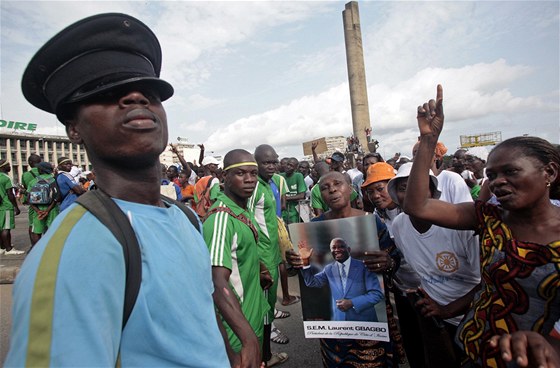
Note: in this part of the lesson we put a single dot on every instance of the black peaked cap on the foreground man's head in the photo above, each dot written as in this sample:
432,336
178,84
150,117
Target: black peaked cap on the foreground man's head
91,56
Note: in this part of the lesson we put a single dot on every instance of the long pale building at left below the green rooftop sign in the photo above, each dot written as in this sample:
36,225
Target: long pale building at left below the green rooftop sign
16,148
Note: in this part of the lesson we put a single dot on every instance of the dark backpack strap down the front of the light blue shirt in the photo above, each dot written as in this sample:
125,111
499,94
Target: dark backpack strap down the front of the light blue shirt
109,214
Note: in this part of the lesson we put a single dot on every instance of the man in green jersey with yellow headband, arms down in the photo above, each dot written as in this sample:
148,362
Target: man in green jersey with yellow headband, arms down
231,236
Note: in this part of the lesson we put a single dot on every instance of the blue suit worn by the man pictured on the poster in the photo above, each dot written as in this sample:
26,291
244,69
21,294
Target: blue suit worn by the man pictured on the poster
362,288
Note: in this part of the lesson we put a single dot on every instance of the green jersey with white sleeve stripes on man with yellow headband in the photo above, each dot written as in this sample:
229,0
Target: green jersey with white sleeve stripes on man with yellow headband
232,245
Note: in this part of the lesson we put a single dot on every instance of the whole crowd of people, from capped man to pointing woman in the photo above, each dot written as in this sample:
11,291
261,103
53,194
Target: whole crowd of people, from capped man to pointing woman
469,255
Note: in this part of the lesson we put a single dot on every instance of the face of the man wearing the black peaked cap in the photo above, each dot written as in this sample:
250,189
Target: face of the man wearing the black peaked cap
125,126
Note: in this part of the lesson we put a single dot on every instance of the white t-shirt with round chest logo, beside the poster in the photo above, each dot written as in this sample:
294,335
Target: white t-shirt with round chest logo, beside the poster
446,260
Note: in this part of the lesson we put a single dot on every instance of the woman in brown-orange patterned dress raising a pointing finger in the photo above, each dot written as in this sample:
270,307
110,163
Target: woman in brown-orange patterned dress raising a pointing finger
513,316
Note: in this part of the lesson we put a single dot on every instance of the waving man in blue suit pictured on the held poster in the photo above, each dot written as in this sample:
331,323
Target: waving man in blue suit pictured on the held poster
354,289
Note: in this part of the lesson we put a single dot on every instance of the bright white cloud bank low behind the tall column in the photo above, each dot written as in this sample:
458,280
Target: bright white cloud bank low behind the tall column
470,92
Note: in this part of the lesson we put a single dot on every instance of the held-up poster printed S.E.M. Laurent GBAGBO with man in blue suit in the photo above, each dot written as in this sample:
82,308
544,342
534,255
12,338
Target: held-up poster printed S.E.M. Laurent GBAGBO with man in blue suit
342,302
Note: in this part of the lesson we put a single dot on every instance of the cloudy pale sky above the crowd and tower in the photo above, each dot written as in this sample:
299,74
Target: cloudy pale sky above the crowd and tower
274,72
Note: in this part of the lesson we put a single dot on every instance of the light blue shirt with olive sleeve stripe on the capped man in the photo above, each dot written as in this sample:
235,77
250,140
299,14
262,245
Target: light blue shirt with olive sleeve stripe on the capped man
173,322
